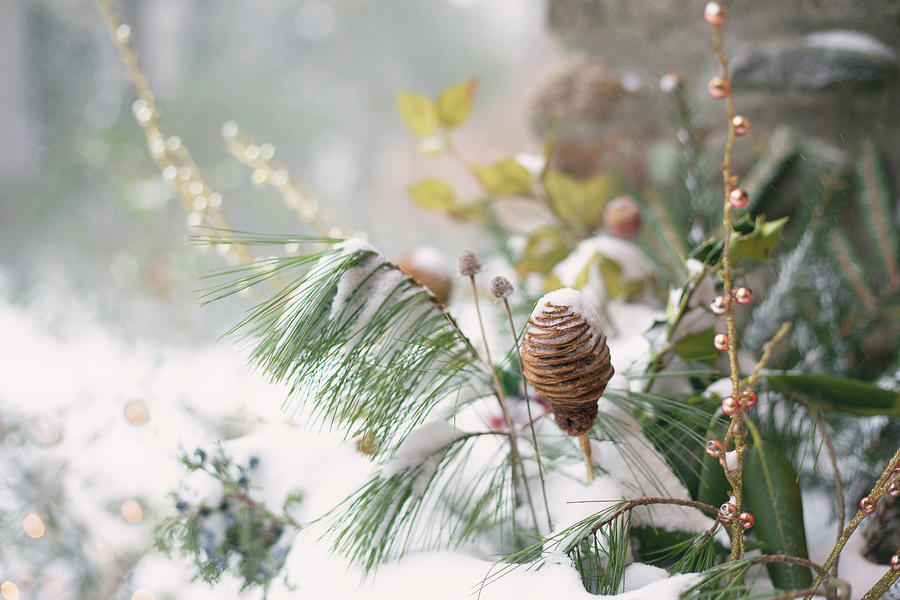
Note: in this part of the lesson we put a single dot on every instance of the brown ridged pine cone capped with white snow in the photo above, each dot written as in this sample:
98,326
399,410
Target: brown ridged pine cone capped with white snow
566,358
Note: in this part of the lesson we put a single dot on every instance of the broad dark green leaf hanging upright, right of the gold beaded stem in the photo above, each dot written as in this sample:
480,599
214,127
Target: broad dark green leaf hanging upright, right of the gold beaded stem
772,495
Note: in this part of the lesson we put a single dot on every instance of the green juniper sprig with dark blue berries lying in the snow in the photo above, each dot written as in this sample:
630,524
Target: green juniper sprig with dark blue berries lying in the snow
252,544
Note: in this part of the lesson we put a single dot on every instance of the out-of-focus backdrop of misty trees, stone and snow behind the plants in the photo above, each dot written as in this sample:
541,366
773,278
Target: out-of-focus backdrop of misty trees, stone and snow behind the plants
99,317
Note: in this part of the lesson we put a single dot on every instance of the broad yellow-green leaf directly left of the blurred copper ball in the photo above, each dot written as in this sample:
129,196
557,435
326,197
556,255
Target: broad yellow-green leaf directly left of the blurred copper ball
579,202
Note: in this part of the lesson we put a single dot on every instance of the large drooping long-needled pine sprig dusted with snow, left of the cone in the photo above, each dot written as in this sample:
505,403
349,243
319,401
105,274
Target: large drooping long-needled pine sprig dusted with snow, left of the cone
358,341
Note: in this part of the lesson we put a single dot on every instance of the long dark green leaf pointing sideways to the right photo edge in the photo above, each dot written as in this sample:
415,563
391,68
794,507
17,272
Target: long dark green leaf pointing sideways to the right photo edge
840,394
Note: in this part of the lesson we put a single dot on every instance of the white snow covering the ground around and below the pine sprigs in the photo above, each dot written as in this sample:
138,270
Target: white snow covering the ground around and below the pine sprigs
79,381
